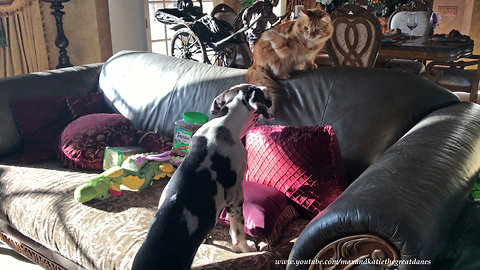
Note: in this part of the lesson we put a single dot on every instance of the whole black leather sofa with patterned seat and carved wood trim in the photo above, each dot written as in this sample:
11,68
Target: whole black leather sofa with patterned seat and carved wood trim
410,149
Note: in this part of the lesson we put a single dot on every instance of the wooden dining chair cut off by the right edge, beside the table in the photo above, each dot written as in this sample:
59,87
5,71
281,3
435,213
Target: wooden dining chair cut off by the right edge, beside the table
456,77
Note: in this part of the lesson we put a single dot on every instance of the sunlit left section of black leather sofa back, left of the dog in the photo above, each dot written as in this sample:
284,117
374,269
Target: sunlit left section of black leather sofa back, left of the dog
160,82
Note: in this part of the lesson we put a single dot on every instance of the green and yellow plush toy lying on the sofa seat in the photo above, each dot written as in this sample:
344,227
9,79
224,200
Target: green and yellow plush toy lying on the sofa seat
136,172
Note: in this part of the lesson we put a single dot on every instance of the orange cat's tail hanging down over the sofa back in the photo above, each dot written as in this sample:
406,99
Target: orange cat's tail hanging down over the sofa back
257,76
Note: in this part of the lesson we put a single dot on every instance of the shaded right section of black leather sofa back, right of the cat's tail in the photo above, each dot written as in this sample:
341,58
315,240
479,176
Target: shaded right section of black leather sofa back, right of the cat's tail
368,109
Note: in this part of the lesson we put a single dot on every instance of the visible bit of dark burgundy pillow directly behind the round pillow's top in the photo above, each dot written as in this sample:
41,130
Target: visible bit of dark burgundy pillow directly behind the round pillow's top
88,104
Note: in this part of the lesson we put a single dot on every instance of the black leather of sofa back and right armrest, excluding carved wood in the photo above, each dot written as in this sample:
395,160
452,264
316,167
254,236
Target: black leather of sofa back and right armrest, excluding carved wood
410,149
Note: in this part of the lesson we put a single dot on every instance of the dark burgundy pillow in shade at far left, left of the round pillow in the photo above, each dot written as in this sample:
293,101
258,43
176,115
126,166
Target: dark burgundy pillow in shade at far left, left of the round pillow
40,121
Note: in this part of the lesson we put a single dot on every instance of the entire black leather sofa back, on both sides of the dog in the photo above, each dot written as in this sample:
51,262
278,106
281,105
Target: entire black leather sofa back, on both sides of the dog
368,109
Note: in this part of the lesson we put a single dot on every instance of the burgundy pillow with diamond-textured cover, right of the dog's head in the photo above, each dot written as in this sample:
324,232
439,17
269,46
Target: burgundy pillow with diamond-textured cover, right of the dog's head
304,163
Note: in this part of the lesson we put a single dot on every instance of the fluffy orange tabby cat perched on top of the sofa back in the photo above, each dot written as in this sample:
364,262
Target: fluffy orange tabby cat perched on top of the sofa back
290,46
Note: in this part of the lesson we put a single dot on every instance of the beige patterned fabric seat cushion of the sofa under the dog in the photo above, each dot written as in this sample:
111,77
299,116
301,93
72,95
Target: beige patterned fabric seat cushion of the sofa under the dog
38,201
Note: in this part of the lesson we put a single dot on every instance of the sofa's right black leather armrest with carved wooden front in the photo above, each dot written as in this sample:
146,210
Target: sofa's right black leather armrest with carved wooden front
404,205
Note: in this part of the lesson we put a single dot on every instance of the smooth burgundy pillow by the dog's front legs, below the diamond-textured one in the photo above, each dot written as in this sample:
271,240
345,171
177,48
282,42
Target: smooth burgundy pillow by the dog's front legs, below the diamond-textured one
266,212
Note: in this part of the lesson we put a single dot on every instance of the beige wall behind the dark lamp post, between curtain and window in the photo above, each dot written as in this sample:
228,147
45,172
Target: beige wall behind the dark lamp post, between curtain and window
87,27
